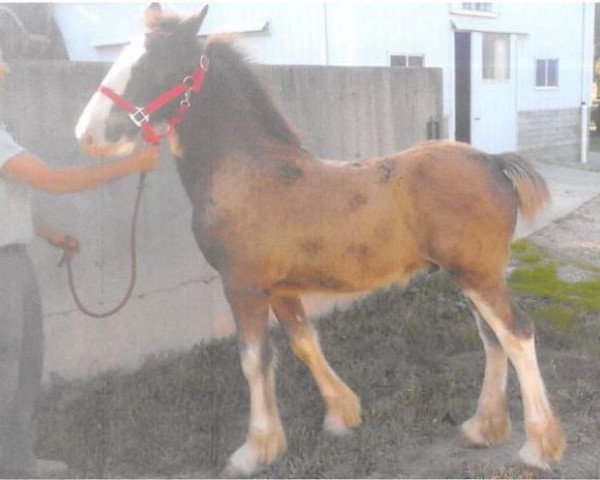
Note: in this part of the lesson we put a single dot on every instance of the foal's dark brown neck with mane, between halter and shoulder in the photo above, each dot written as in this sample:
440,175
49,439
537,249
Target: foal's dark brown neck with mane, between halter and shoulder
234,113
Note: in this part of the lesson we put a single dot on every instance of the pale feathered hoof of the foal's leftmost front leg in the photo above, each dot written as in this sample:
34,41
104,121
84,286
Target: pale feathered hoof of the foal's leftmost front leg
259,451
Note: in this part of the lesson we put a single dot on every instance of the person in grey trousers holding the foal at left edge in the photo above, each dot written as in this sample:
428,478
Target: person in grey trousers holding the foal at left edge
21,327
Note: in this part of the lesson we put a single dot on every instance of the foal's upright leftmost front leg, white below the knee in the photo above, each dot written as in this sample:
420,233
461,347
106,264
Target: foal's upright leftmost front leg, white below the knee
266,438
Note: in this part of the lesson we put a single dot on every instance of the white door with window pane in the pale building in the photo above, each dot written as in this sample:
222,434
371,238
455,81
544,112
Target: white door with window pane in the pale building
493,92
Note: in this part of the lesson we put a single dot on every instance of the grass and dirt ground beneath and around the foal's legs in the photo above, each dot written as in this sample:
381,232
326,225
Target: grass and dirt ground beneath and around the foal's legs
414,358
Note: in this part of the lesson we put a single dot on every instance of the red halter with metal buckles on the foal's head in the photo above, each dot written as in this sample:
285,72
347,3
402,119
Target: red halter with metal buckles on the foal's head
141,115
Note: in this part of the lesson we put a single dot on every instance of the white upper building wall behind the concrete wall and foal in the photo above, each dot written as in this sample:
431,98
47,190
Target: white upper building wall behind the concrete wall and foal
367,33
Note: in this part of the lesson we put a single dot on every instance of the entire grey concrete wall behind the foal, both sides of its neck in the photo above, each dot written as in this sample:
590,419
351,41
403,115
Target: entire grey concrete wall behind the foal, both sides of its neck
343,113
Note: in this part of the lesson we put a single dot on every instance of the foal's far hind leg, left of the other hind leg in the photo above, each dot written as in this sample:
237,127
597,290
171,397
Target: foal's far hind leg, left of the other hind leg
491,422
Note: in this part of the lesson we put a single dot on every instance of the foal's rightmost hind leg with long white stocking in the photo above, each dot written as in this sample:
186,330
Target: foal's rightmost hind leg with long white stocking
545,441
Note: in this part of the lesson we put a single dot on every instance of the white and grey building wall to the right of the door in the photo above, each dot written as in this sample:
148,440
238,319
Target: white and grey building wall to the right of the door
550,126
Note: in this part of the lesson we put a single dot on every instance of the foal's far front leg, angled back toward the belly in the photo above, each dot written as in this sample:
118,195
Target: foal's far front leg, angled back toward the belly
343,406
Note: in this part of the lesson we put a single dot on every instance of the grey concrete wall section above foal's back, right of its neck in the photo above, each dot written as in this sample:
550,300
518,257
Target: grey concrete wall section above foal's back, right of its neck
351,113
